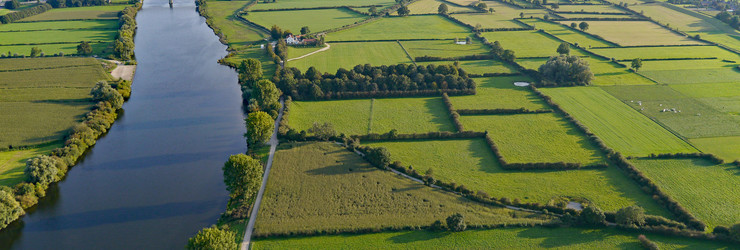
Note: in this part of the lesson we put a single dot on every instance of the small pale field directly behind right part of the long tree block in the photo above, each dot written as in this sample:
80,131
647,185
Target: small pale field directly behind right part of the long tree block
444,48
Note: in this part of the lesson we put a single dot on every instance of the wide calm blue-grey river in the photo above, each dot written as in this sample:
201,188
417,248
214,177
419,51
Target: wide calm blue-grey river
155,179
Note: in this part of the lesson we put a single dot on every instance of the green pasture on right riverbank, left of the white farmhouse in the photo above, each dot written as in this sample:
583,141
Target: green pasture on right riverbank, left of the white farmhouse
238,34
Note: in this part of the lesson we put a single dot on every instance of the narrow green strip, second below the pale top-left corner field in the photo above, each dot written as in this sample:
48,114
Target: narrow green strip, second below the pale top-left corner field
56,36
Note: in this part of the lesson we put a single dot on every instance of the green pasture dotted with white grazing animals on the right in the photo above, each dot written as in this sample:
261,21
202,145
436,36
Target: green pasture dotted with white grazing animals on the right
696,119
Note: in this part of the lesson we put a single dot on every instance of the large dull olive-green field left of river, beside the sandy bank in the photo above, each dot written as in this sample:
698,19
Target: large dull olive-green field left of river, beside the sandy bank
40,105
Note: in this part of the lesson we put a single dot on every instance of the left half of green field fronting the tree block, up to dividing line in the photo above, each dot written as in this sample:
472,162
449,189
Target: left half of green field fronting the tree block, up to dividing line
348,116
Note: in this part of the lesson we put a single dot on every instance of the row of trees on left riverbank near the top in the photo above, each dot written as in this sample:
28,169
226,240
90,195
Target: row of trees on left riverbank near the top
124,44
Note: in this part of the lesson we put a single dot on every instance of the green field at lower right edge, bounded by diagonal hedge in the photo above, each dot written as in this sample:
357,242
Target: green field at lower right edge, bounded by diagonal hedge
706,190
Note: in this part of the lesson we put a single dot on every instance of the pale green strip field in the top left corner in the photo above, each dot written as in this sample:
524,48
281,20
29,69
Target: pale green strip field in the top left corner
94,12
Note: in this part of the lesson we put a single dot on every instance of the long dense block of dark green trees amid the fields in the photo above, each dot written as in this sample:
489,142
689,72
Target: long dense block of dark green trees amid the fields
401,78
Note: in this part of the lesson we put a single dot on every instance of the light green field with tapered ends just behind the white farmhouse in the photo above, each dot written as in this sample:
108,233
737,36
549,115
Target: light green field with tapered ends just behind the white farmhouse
321,20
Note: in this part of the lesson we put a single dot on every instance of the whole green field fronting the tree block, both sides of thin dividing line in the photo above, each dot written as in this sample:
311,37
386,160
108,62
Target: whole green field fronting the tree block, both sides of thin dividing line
354,117
